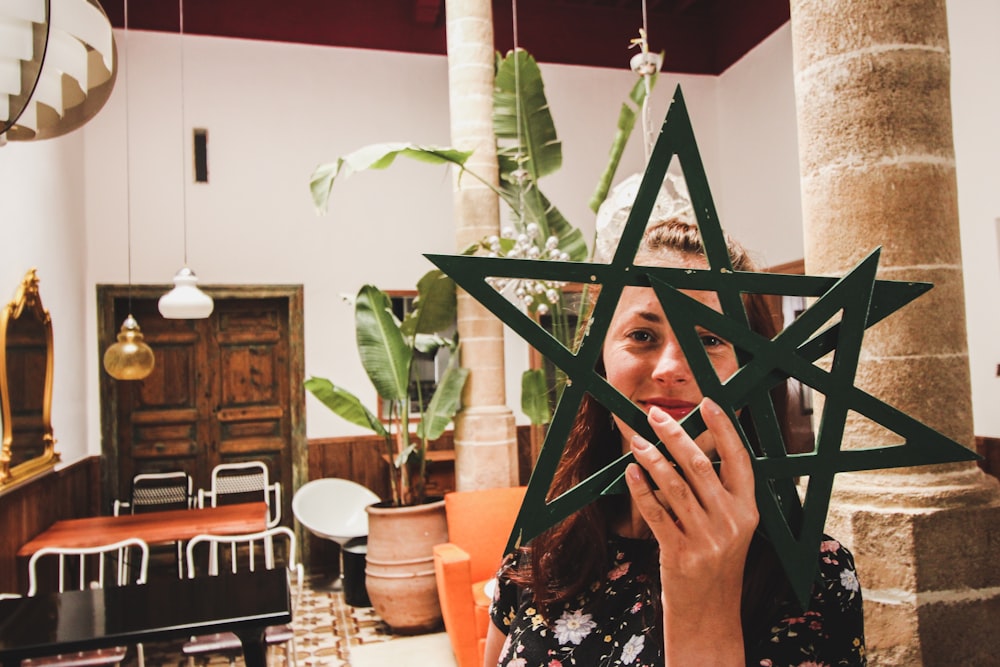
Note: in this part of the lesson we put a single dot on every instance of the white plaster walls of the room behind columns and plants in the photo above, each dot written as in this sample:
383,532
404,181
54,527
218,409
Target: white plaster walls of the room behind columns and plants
274,111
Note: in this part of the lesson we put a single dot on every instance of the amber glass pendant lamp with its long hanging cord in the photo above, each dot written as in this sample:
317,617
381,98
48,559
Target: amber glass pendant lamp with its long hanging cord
130,358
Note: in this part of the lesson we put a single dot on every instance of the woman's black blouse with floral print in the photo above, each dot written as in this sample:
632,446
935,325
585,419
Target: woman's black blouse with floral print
624,629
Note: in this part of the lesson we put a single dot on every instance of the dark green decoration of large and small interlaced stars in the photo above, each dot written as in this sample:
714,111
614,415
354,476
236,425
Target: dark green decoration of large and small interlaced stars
794,526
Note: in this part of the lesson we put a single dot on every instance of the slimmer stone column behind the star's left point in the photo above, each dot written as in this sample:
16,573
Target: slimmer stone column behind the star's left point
485,433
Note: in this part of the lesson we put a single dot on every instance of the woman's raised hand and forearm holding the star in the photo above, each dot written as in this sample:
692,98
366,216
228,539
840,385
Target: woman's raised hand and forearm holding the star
703,523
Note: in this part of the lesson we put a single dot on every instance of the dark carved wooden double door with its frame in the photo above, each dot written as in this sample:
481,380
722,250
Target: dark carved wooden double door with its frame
225,388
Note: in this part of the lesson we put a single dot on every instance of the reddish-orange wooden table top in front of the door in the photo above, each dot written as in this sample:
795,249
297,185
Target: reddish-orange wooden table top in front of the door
153,527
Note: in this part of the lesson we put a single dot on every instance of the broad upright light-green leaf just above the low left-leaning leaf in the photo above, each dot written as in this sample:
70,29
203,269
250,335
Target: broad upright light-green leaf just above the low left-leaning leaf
383,350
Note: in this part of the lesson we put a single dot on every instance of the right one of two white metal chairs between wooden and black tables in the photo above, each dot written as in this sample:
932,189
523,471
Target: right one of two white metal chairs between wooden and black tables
245,553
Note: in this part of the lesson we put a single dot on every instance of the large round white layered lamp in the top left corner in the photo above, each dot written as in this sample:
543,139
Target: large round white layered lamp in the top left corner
57,66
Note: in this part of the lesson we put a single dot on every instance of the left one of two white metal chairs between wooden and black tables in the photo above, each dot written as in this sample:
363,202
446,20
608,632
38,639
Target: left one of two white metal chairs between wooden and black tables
76,569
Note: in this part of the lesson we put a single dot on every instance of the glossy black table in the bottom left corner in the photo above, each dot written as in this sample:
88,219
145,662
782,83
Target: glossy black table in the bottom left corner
52,623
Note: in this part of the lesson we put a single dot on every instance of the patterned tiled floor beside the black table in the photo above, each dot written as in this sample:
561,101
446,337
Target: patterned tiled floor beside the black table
325,630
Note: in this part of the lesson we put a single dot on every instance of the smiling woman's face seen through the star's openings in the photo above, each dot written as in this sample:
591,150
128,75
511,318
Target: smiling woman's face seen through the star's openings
644,361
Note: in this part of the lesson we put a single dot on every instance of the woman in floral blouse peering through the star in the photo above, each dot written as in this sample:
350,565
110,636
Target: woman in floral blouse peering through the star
676,575
